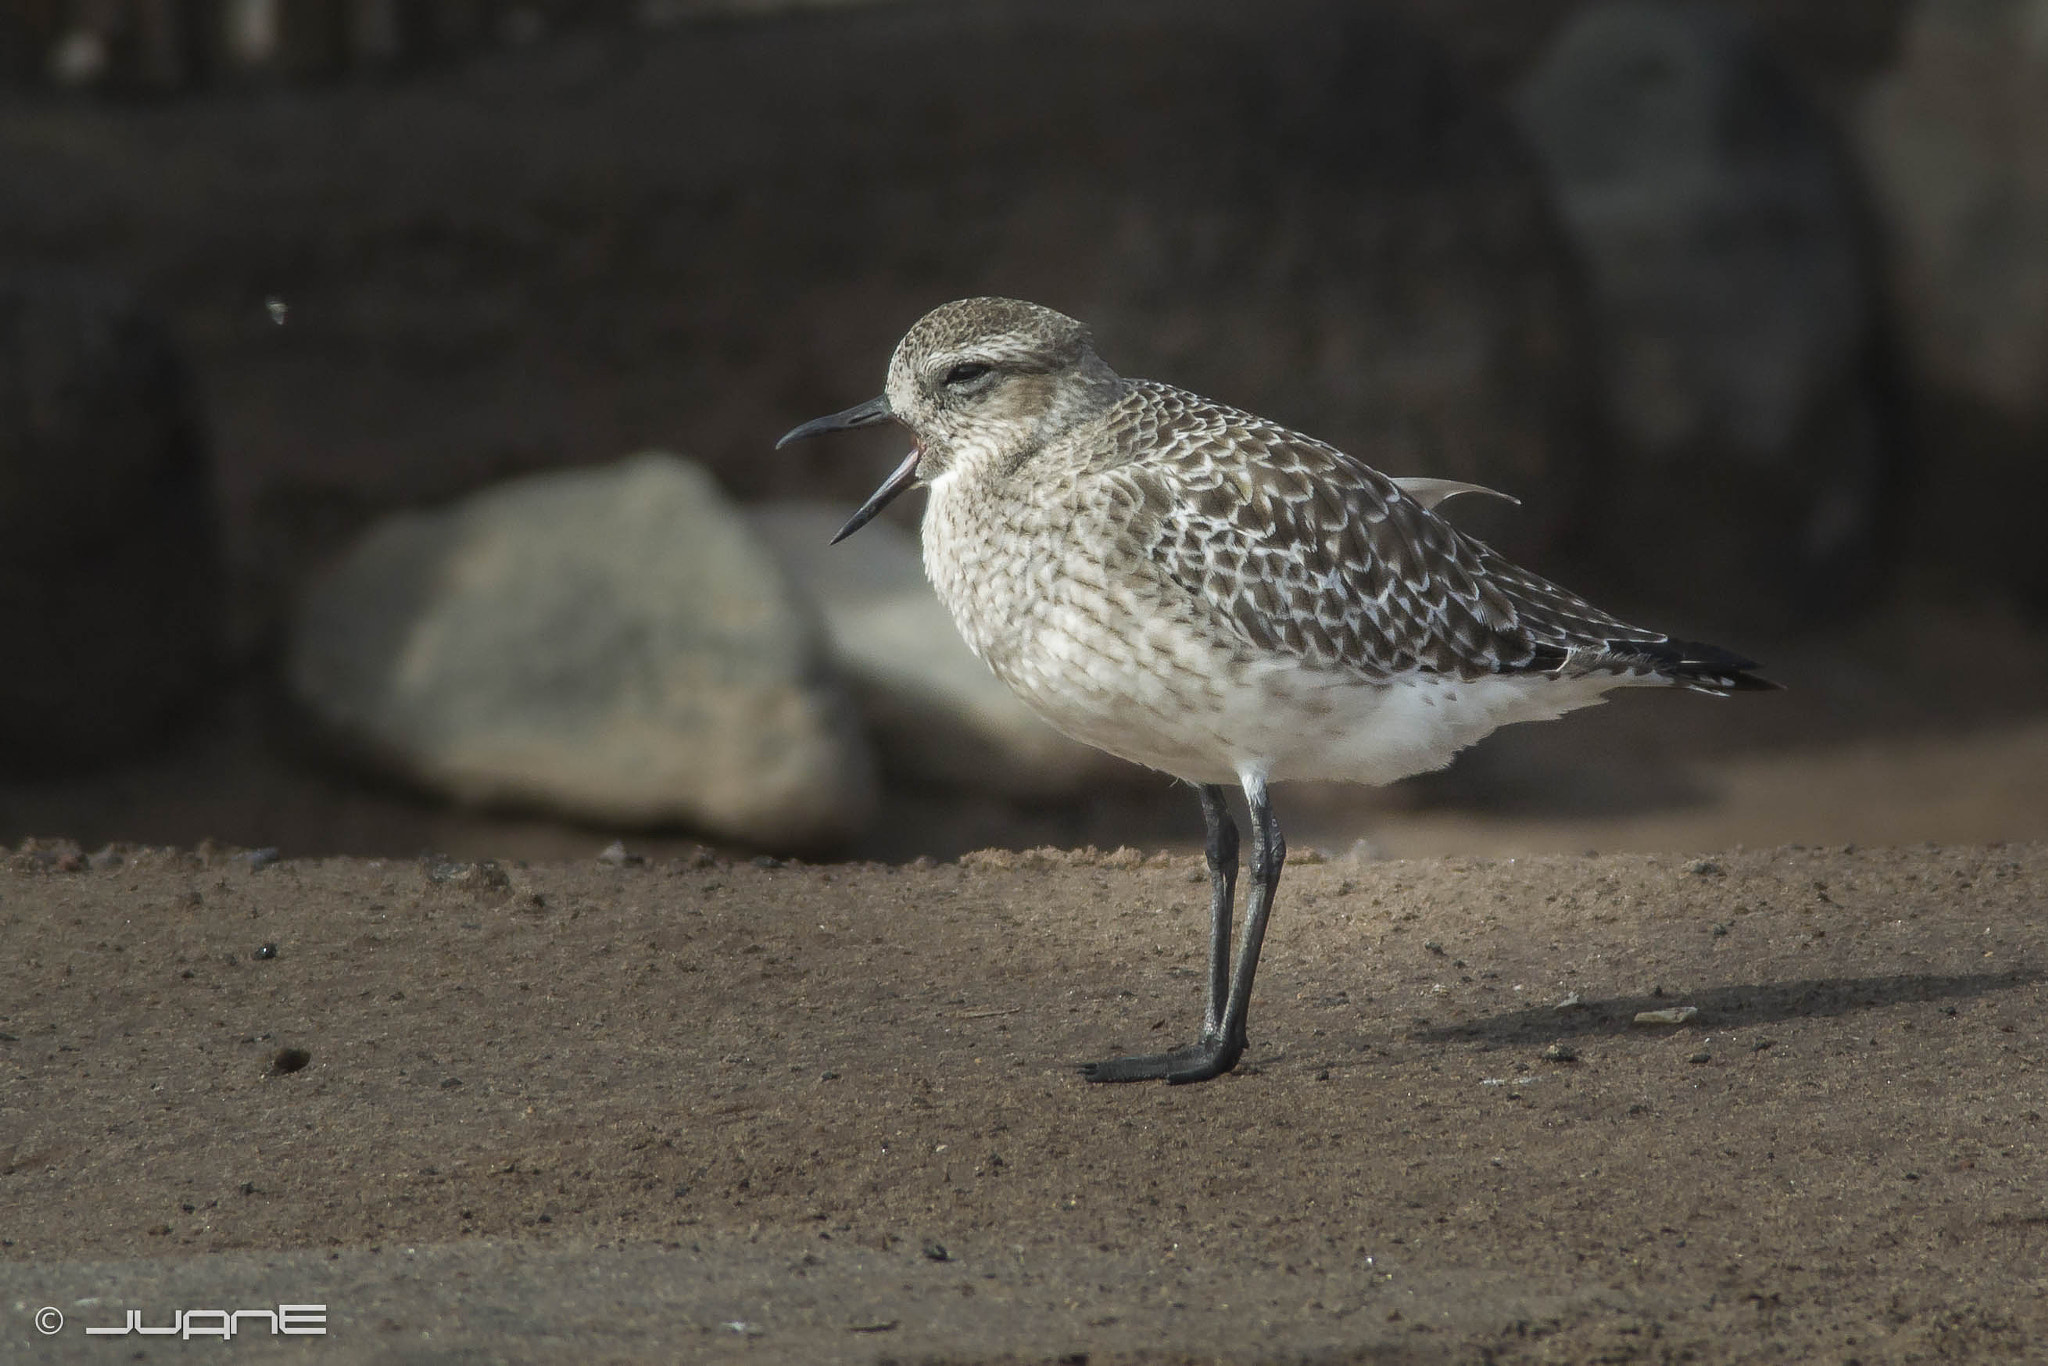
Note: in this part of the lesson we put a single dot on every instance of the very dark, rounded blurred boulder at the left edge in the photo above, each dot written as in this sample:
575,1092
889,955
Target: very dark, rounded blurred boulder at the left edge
110,550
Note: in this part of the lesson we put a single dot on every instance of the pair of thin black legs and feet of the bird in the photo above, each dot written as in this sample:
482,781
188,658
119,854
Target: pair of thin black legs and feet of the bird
1230,994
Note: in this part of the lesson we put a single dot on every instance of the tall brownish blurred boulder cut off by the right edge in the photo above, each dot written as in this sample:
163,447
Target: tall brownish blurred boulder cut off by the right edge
1957,144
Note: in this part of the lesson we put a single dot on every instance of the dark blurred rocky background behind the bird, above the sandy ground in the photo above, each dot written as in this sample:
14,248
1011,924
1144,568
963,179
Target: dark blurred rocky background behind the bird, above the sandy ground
1746,302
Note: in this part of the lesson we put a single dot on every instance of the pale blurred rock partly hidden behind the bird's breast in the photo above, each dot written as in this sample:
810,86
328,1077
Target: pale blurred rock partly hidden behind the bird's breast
937,714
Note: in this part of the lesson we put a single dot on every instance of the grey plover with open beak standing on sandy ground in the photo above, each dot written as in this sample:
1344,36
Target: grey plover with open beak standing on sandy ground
1211,595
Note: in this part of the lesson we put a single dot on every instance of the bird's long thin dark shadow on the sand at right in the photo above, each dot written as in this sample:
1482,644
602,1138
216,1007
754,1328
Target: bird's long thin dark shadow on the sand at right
1732,1007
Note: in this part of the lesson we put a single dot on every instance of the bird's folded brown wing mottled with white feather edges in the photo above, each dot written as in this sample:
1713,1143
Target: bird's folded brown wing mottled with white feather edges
1312,554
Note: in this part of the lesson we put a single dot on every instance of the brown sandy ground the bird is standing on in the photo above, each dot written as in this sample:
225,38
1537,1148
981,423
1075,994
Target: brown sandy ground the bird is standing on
703,1109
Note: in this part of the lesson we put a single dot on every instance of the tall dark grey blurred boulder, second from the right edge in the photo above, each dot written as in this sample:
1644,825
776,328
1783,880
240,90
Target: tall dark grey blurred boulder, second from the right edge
1738,308
